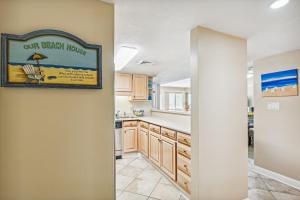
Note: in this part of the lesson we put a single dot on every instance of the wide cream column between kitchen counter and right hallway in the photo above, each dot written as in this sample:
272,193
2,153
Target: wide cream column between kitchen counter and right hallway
219,116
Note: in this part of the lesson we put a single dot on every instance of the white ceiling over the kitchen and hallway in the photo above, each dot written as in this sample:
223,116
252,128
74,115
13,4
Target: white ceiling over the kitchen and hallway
160,29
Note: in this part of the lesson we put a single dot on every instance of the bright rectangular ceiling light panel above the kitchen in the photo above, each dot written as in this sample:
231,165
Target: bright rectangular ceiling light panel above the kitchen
123,57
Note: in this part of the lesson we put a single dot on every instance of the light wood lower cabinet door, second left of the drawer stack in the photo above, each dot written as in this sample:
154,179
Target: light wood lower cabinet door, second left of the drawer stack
154,148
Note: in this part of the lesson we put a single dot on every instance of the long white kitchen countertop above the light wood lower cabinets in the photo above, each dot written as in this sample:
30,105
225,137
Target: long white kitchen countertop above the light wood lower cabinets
184,128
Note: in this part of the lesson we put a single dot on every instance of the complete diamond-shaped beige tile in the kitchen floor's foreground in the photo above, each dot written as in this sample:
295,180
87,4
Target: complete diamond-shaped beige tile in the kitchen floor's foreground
143,187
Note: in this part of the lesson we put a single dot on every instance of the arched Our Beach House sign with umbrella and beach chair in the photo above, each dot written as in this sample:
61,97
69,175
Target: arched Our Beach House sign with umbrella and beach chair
50,58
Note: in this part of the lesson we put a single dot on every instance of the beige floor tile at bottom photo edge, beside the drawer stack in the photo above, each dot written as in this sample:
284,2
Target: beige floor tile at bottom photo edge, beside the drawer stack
166,192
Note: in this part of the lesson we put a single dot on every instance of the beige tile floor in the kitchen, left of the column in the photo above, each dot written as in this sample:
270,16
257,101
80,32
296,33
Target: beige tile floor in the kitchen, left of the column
137,179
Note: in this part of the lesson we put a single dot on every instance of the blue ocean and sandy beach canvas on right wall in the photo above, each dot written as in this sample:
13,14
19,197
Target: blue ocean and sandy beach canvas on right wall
279,84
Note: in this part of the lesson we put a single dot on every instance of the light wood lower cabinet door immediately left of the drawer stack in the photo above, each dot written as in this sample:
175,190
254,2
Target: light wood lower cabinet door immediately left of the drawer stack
168,157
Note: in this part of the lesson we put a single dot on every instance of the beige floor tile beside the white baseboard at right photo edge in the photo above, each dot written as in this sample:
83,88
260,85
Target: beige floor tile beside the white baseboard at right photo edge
276,186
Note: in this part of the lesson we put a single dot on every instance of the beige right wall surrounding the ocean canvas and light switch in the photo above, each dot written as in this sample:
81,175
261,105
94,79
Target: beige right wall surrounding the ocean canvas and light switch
277,133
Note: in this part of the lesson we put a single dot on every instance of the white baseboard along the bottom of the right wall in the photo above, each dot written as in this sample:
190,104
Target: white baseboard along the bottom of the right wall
278,177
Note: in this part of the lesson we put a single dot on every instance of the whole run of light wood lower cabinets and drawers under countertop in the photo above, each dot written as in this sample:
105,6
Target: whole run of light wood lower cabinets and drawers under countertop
168,149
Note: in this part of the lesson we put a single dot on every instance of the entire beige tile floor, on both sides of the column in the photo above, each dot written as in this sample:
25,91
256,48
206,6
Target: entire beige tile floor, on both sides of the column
137,179
